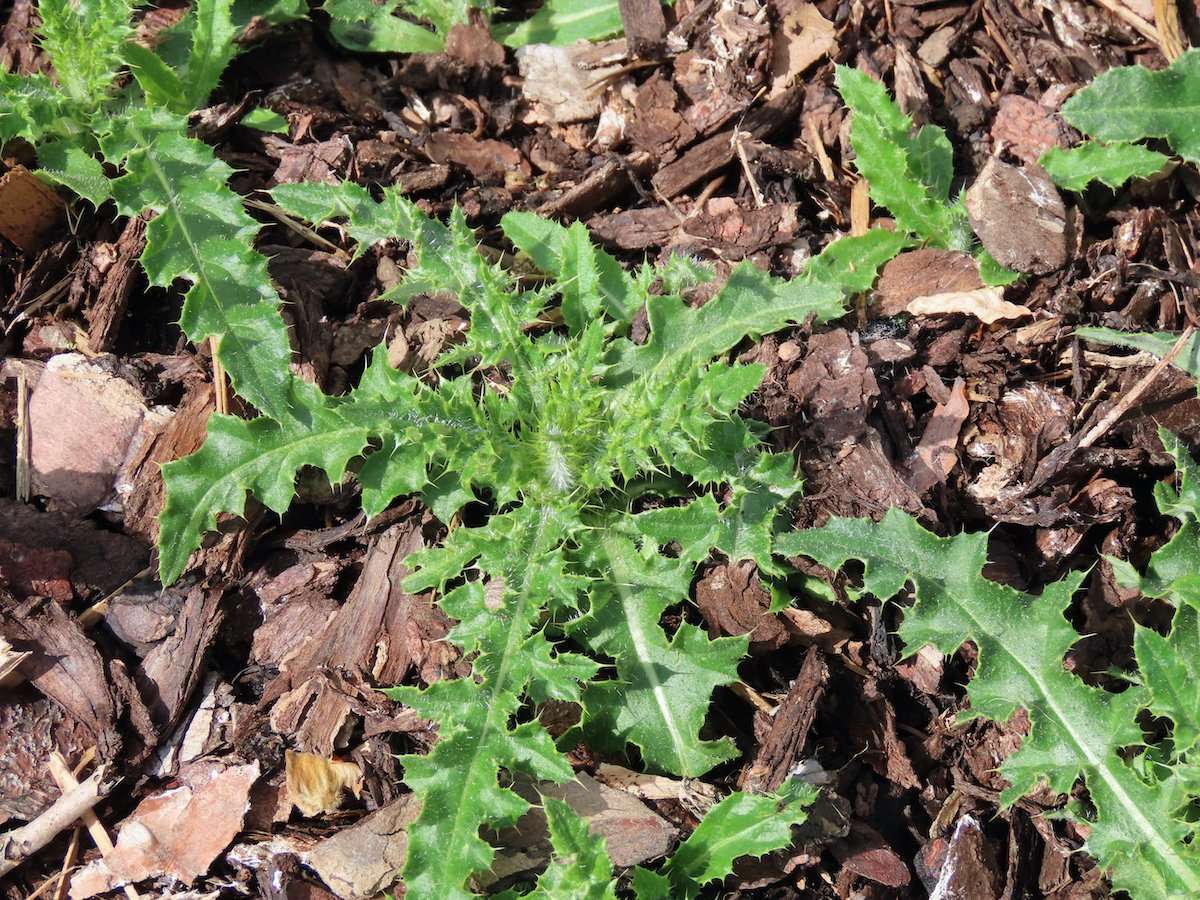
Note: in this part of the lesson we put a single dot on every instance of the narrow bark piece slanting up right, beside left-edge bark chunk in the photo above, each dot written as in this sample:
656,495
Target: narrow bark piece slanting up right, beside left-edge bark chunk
172,670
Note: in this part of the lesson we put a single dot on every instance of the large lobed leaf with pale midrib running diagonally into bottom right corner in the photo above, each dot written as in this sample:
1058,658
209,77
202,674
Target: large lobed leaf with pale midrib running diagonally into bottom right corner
1077,730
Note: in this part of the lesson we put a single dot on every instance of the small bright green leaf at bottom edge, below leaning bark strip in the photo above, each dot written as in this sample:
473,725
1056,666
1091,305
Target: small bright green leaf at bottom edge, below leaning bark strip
741,825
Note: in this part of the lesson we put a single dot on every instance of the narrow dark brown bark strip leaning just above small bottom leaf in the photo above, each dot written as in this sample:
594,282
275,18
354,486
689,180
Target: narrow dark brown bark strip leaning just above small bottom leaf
789,730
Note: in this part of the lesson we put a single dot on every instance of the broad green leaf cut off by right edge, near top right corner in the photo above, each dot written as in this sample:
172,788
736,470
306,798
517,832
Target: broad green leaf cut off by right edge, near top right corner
1133,103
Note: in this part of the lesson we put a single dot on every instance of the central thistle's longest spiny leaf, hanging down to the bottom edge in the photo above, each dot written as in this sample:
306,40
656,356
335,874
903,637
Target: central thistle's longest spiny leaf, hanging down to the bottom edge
458,782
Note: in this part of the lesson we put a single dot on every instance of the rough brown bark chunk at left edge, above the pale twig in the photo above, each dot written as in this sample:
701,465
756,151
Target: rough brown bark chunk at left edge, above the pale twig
65,667
